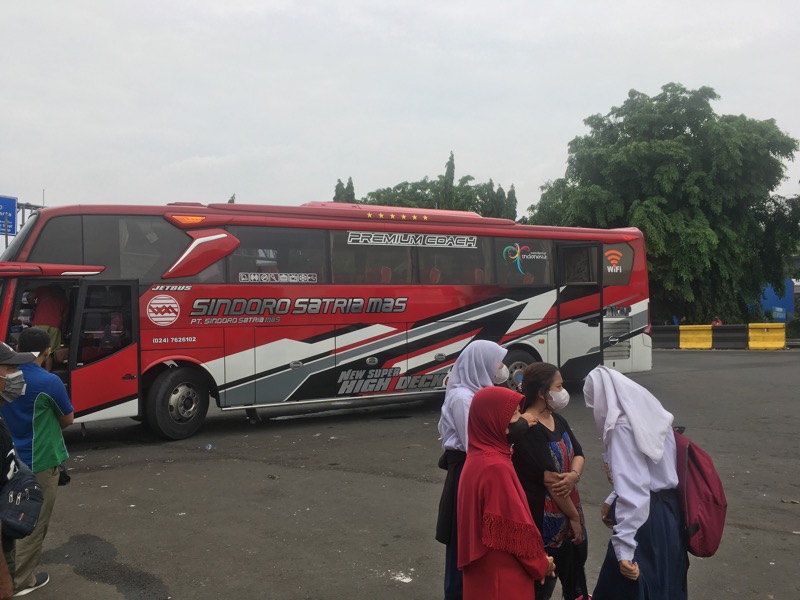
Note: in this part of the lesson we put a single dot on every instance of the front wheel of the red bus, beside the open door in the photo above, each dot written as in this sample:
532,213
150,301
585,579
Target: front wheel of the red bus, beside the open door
177,404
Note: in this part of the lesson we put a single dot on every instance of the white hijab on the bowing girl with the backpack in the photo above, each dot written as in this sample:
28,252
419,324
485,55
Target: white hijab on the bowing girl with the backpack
612,395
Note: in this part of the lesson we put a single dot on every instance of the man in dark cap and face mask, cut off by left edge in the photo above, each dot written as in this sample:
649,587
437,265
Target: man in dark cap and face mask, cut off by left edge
12,384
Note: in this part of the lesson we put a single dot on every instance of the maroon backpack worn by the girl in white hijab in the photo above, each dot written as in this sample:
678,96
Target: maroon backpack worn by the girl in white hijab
702,498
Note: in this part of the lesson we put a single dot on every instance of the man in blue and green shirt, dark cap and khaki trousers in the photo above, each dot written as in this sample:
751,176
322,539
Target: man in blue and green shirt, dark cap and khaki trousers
35,421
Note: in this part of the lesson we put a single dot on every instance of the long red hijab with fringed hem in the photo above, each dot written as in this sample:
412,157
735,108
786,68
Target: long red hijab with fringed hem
493,512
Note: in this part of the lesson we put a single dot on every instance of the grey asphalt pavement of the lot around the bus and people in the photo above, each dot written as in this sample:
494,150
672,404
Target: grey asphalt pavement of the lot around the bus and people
343,505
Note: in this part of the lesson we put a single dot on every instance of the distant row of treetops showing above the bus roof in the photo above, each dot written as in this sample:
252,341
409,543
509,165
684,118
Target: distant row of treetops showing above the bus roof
443,193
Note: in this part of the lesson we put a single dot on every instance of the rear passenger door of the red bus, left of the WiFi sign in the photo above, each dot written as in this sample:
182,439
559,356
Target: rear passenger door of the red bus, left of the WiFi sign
579,309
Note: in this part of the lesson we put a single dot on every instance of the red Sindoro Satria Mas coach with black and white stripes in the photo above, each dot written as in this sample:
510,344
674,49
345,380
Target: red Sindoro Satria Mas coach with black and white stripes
291,309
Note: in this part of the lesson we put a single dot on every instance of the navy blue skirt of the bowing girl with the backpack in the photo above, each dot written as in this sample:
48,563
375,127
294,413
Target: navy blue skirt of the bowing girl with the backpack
660,554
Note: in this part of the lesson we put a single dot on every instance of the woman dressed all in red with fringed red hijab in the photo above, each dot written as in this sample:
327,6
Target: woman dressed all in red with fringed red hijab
500,550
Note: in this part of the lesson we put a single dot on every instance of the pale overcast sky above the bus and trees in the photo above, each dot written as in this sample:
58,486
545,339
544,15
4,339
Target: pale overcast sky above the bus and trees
194,100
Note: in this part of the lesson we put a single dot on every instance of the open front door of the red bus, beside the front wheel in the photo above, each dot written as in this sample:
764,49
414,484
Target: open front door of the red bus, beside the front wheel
104,351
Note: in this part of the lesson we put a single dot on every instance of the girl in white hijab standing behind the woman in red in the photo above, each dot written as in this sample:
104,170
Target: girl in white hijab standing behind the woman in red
479,365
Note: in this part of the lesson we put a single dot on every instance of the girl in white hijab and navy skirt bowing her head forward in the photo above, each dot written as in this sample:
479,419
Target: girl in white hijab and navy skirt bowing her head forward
646,558
